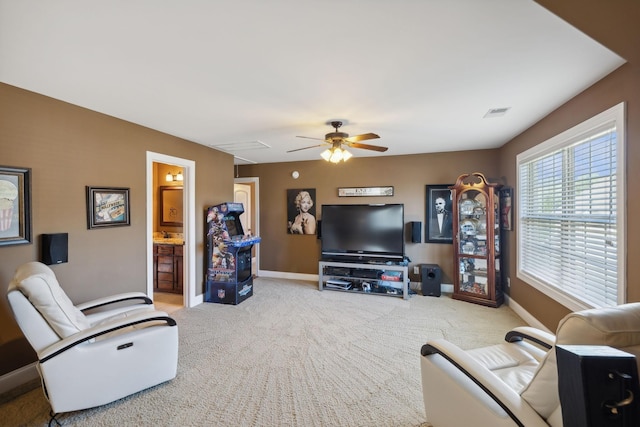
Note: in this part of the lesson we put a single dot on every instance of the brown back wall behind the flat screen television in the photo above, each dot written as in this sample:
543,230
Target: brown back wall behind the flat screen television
409,176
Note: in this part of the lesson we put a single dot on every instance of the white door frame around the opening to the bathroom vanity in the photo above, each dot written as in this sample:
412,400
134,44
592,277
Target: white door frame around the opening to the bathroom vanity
189,296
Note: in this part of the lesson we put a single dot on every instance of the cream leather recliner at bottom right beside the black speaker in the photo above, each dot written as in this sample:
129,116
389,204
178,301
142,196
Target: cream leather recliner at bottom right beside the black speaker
516,383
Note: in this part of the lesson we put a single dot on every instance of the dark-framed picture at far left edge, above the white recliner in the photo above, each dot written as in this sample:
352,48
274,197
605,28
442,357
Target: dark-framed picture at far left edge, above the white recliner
15,205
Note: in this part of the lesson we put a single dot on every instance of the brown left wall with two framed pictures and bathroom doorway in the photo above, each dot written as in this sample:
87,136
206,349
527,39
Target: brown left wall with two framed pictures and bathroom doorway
68,148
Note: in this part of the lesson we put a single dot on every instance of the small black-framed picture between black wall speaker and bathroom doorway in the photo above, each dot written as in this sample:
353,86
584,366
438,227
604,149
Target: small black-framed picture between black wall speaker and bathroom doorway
107,207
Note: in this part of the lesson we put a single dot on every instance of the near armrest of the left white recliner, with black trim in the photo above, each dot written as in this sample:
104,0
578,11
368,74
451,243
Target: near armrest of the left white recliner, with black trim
103,329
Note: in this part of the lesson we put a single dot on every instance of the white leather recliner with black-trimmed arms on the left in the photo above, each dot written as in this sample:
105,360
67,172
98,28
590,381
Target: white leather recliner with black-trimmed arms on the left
93,353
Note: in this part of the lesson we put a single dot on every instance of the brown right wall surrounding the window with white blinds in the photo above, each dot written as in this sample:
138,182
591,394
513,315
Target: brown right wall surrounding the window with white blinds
613,23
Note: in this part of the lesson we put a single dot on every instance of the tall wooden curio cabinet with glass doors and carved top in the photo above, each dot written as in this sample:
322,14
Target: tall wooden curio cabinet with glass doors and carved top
476,240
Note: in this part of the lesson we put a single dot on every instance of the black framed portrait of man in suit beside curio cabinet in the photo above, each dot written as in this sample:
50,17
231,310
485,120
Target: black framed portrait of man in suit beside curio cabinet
439,214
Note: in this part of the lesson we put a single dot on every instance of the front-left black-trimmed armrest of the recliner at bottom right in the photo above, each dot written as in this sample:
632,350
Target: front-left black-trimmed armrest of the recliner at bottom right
508,399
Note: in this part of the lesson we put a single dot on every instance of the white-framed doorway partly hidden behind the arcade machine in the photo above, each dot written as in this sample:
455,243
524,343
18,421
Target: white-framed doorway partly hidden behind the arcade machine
246,191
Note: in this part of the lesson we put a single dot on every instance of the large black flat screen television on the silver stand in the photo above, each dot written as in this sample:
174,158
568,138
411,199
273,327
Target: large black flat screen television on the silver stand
362,232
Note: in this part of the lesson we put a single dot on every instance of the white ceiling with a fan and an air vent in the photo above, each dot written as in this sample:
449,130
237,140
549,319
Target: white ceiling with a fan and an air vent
242,73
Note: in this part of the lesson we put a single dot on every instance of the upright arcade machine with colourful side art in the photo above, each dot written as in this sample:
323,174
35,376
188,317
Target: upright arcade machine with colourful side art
229,279
